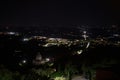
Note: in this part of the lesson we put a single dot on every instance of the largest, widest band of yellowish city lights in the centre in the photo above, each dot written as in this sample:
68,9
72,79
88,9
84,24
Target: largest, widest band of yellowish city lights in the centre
53,41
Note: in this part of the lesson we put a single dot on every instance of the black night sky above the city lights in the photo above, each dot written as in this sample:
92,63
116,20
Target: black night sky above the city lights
59,12
